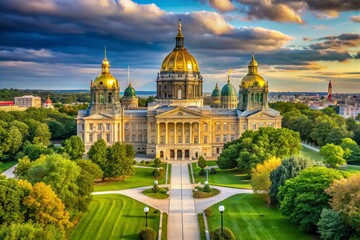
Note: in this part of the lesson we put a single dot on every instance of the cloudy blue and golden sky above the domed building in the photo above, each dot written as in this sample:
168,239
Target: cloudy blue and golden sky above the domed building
299,44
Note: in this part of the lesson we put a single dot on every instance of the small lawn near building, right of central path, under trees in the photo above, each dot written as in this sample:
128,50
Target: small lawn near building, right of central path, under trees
224,178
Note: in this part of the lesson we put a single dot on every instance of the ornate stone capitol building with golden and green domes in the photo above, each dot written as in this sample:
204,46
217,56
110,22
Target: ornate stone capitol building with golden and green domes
177,125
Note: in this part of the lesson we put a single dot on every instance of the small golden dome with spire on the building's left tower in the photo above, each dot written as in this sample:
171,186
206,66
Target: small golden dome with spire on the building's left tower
105,79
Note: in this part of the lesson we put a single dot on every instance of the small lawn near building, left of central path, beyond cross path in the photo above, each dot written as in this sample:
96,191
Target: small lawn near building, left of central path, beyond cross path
143,177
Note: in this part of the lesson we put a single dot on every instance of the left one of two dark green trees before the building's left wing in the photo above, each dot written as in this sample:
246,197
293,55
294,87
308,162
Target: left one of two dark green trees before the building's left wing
98,155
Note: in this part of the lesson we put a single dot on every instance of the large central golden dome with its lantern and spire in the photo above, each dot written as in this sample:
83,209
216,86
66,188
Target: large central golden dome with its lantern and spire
179,60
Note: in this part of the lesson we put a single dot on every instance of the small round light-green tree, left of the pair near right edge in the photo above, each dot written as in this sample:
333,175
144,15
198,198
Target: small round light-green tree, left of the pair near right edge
333,155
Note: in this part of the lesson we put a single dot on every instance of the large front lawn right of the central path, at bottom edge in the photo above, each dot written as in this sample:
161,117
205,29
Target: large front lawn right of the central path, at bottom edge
242,216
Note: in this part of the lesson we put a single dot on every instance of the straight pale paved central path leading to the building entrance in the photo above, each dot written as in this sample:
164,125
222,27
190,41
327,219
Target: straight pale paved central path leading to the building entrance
182,221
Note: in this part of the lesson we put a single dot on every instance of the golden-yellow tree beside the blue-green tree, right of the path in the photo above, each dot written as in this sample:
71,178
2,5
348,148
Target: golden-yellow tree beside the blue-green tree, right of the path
260,176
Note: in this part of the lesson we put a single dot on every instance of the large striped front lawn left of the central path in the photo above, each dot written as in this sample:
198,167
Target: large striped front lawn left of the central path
114,217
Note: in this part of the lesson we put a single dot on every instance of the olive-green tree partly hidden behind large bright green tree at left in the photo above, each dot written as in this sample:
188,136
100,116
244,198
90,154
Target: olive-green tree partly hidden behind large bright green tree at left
89,172
